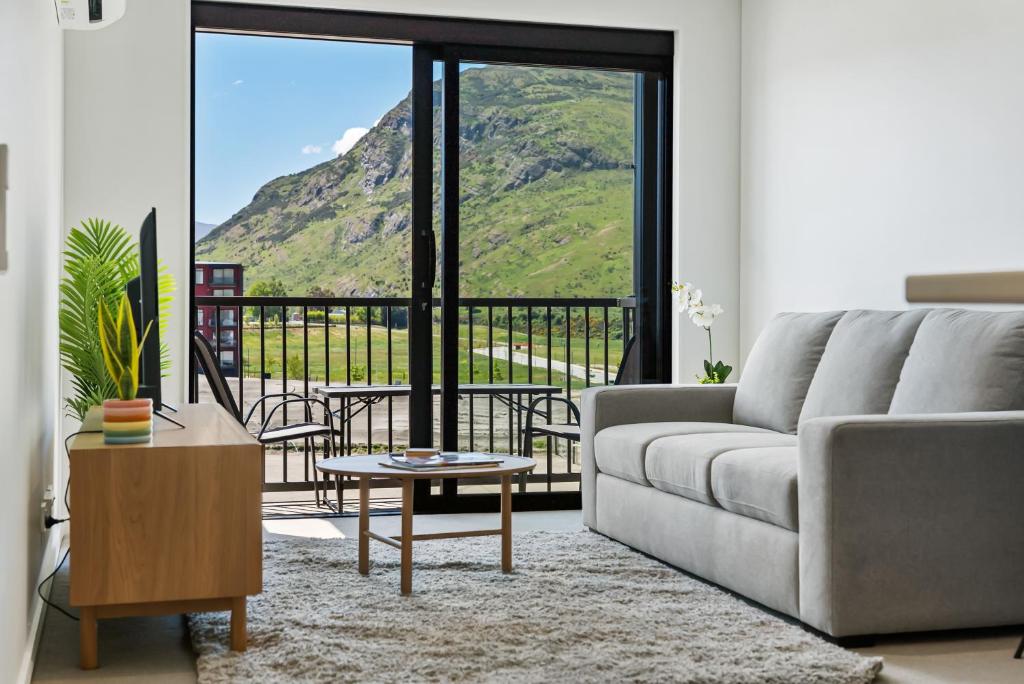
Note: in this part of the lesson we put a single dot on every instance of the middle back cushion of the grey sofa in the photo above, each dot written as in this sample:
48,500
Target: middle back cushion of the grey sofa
862,364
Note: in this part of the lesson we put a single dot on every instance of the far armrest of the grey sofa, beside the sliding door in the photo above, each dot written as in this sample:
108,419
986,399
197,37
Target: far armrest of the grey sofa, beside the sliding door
623,405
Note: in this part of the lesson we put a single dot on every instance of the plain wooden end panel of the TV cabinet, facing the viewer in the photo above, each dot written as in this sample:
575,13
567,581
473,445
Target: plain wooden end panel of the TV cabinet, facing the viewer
165,525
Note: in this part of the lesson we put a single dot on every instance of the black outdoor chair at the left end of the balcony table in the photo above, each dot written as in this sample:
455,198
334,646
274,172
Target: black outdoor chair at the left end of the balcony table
309,431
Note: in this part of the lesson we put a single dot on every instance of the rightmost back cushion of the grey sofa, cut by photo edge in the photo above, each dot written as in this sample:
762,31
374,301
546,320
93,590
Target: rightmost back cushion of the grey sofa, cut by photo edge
964,361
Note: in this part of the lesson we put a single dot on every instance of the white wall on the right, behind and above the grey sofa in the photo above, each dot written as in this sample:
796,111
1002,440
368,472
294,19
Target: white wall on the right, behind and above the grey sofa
879,140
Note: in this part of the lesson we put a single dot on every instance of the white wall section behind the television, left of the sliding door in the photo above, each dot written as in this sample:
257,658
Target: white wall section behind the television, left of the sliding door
126,130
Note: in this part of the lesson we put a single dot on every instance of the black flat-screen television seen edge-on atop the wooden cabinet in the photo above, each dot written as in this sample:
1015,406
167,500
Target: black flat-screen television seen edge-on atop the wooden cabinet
146,305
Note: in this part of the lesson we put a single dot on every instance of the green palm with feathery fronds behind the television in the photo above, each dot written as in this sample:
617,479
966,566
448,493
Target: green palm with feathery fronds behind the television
100,260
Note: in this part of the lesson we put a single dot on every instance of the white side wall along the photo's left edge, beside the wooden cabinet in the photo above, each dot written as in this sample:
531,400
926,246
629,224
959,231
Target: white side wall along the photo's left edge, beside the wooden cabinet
31,127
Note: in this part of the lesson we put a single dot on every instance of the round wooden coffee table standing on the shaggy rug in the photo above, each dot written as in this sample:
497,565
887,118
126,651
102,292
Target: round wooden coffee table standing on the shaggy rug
367,468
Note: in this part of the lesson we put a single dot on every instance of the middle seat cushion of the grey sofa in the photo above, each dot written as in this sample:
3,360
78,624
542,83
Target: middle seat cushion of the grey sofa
681,464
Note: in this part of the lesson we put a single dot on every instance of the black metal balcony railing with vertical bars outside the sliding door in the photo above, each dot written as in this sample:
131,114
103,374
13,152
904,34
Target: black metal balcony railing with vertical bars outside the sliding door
297,344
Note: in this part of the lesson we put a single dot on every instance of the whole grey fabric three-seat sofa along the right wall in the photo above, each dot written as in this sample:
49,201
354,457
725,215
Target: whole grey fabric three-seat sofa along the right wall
866,477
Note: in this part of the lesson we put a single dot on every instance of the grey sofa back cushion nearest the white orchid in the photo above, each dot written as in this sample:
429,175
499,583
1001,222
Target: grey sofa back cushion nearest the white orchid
780,370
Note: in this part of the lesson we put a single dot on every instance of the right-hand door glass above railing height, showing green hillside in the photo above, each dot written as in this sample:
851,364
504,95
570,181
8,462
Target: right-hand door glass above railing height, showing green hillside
546,182
